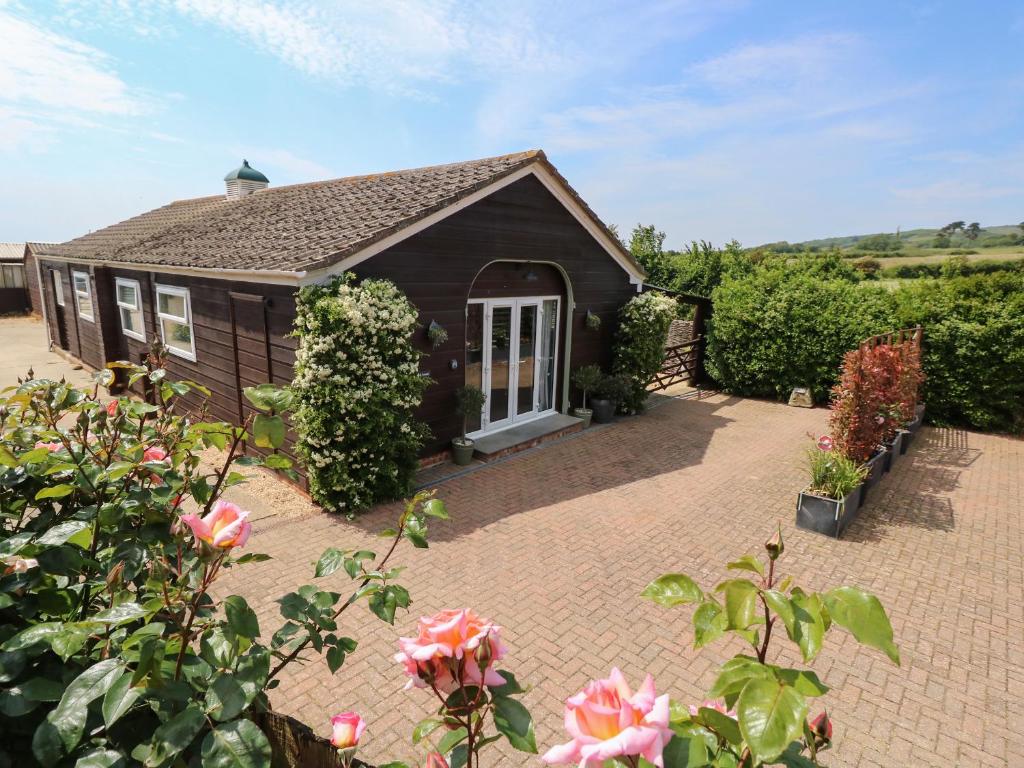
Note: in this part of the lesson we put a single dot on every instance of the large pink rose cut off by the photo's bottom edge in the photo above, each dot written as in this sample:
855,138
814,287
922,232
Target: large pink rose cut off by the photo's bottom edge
607,720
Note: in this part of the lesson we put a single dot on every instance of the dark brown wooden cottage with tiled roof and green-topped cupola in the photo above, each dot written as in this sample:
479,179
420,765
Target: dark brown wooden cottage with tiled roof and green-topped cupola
501,252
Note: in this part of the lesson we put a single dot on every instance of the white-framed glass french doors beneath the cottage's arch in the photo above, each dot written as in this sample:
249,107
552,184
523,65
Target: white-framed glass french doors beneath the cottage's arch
511,352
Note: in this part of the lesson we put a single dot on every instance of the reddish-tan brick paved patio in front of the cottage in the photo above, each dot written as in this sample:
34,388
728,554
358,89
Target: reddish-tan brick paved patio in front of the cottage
556,545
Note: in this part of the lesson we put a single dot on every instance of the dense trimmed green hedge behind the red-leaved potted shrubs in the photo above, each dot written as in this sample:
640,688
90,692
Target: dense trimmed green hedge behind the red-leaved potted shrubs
784,327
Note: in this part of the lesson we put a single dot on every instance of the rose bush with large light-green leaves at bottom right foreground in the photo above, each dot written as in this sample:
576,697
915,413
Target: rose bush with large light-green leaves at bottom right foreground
757,713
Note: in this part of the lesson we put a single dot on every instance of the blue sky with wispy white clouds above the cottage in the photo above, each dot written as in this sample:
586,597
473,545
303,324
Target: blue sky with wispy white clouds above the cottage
760,121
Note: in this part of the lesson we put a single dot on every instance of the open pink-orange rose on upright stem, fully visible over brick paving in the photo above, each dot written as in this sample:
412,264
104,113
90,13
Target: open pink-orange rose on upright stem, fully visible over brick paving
443,642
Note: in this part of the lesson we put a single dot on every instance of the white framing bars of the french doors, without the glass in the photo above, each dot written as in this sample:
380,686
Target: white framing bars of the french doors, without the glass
516,305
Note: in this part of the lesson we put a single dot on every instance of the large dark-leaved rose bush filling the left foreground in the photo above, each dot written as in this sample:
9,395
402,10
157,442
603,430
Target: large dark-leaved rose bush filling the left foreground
114,650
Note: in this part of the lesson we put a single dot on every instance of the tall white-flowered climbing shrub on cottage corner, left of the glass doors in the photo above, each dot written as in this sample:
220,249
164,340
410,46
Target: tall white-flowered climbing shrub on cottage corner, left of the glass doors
358,387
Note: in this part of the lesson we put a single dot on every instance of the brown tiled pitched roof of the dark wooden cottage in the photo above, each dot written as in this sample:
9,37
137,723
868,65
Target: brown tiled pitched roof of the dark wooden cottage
311,227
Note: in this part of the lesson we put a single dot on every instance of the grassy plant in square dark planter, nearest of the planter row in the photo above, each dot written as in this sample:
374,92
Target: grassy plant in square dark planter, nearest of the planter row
832,498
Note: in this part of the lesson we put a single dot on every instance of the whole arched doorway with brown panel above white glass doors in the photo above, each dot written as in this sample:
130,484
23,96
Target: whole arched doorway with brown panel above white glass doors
516,343
